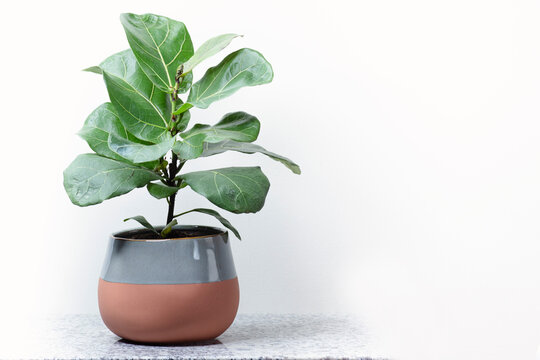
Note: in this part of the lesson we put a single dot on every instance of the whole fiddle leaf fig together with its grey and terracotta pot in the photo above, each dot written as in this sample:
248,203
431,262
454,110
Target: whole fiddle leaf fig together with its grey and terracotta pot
170,283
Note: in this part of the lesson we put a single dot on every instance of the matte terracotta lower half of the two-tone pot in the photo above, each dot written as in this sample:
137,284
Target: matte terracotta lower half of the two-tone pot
168,313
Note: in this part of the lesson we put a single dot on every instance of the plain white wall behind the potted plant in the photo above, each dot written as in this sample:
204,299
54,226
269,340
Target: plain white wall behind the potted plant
417,126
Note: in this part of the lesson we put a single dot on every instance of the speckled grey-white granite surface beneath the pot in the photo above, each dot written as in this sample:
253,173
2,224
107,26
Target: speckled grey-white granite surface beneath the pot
250,337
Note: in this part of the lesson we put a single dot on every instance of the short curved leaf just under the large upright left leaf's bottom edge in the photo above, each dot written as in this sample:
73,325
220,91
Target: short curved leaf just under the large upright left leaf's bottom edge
139,153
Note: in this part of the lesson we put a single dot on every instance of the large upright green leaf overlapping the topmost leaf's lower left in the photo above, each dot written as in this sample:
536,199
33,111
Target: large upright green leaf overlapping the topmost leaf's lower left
141,106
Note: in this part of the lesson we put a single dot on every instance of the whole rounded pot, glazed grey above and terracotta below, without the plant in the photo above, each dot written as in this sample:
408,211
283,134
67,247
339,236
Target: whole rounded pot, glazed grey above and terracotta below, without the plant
174,290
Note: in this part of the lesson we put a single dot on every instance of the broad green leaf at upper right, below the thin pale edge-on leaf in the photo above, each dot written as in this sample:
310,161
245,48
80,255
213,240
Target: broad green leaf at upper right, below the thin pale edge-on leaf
245,67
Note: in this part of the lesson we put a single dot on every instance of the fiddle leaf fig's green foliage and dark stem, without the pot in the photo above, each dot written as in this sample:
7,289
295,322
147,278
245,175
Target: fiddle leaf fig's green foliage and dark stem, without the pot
141,137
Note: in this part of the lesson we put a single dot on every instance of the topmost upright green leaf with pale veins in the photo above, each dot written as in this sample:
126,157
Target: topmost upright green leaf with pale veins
160,44
